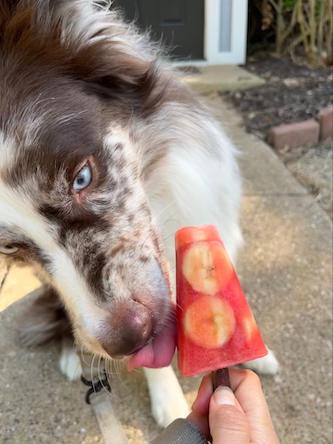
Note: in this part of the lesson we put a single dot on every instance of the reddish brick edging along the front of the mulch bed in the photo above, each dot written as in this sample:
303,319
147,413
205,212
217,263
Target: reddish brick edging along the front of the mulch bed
309,131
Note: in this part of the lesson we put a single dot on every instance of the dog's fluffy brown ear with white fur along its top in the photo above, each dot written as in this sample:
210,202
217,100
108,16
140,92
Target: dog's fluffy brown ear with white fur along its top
118,63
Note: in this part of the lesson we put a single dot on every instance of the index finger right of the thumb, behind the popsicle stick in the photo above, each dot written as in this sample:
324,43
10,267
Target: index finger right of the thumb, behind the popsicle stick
248,391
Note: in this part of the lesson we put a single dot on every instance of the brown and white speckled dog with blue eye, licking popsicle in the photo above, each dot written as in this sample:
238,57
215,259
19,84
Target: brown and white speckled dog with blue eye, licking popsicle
103,155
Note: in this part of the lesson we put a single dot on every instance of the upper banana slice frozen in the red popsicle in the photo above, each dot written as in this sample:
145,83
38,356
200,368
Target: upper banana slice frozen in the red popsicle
206,267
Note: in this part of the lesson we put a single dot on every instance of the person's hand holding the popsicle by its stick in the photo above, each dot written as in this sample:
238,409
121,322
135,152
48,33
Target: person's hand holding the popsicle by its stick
237,416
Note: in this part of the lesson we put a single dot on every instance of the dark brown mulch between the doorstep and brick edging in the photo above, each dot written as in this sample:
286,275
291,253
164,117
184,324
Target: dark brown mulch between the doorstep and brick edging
292,93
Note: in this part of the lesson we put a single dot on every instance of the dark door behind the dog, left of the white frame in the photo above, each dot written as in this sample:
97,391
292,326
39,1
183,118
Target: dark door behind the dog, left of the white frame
178,23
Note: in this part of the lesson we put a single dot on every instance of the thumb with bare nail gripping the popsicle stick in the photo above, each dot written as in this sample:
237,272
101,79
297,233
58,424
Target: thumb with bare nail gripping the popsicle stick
227,421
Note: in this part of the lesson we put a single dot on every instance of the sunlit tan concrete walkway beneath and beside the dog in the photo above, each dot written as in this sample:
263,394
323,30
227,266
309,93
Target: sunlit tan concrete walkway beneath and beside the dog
286,270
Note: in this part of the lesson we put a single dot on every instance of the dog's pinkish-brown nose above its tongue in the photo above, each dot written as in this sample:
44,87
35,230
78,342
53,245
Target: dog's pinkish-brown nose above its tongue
132,327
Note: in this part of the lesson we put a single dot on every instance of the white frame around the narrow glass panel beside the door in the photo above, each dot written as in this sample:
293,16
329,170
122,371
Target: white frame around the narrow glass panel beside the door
212,53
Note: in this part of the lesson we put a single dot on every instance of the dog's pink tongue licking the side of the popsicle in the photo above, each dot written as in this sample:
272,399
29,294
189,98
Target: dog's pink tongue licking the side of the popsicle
158,352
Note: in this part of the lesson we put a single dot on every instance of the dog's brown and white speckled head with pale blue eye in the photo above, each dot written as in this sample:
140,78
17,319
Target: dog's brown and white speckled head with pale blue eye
72,200
